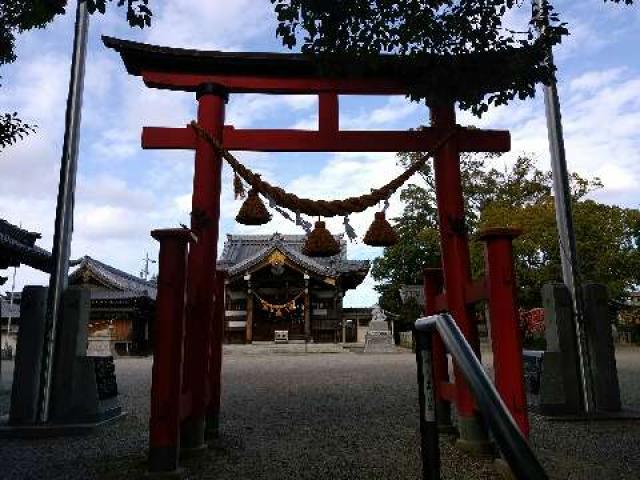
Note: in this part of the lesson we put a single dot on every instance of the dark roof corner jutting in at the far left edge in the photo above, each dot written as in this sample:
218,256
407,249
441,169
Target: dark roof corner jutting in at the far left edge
17,246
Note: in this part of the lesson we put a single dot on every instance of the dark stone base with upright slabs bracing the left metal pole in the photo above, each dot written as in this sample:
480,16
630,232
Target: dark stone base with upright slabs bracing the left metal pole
84,392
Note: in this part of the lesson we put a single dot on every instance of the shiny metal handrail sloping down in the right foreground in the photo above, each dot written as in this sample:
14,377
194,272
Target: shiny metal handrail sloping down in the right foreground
512,443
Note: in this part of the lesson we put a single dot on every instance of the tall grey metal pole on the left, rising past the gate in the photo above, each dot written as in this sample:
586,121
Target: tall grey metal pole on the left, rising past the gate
64,209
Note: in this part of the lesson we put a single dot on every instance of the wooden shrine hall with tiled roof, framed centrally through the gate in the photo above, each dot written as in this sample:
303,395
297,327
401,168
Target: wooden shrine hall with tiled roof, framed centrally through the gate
272,286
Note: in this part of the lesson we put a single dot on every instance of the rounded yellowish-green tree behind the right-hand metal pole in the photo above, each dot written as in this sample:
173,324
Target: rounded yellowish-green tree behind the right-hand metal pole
606,240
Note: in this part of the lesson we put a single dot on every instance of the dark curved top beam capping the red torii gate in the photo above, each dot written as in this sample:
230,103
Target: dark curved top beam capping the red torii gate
395,73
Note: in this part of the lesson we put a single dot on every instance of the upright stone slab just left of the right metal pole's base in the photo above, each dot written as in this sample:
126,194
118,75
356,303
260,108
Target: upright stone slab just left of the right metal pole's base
560,377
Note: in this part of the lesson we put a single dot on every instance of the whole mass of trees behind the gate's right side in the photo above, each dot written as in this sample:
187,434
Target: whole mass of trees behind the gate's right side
608,237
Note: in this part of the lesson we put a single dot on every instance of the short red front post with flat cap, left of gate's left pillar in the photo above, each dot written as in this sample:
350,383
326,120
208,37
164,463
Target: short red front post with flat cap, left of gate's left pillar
168,349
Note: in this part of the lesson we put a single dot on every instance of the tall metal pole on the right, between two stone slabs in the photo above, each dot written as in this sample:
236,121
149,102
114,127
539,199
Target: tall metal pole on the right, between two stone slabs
564,220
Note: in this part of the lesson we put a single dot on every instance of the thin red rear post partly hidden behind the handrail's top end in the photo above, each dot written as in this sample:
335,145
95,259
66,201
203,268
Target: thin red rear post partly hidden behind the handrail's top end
432,287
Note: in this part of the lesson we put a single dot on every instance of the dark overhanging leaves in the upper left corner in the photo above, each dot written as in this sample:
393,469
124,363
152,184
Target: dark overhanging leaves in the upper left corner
18,16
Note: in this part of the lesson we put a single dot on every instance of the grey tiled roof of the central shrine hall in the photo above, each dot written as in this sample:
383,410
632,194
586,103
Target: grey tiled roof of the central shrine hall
243,252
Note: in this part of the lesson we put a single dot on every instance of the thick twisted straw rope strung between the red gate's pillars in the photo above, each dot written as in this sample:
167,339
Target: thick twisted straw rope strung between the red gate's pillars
320,208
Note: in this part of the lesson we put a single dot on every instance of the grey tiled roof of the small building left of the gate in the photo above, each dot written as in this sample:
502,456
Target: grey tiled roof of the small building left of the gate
121,283
